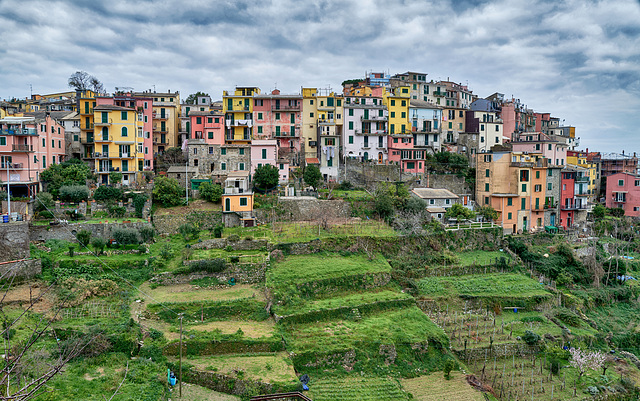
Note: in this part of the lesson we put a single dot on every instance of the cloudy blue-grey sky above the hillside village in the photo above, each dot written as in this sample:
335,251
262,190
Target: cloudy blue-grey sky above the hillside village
578,60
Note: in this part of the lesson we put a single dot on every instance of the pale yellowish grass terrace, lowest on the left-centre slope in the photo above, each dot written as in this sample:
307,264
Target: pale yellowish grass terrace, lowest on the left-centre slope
274,368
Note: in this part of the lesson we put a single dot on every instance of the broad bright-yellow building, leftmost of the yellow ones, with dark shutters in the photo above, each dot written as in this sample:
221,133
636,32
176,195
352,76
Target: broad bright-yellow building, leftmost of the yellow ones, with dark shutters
117,143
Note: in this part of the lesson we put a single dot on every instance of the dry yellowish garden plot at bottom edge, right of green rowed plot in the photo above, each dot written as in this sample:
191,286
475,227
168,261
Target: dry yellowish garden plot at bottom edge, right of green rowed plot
435,388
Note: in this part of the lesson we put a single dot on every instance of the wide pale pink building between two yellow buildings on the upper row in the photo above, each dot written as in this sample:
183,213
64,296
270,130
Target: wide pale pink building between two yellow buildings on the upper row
278,117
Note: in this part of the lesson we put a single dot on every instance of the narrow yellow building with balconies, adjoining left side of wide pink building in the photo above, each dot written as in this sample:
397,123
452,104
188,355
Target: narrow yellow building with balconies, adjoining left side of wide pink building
238,111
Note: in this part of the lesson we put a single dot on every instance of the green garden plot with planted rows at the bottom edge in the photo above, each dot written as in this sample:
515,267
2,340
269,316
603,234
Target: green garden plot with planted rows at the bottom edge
356,389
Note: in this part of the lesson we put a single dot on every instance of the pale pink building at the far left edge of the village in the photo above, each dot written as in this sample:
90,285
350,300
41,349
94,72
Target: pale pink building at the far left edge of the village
28,145
